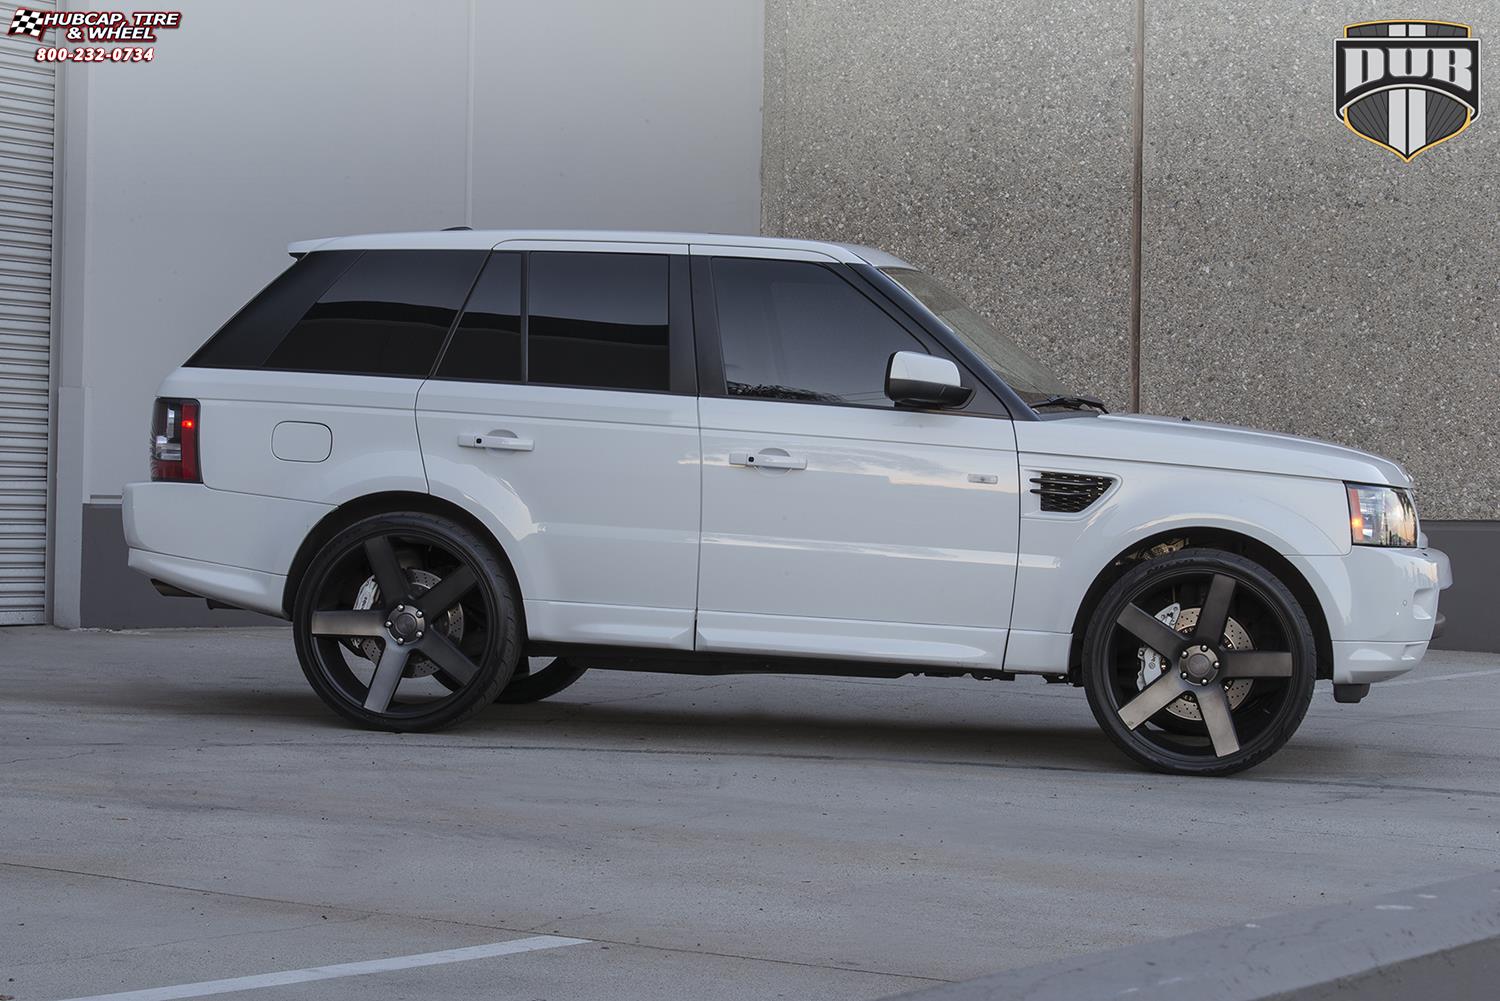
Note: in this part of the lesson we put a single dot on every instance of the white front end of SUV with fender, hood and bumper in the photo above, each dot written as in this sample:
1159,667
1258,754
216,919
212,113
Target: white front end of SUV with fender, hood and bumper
1283,491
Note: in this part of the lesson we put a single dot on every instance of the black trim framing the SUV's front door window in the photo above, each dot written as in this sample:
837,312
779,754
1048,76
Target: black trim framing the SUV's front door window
985,403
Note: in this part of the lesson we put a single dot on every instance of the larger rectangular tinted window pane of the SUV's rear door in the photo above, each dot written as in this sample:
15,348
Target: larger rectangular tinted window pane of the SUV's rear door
598,320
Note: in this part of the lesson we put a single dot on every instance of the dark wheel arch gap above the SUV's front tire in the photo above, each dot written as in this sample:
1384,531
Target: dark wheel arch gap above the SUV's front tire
1207,538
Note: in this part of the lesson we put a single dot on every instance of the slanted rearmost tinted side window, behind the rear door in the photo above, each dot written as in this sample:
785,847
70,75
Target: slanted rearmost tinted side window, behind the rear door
386,316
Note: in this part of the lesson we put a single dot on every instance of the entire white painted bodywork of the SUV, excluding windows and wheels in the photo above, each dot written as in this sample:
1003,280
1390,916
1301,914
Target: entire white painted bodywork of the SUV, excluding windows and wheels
764,528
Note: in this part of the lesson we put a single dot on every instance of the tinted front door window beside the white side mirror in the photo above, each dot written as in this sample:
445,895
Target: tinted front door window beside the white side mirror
797,331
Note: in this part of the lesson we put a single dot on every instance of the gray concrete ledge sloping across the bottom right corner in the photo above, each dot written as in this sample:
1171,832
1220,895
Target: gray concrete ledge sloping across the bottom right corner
1439,942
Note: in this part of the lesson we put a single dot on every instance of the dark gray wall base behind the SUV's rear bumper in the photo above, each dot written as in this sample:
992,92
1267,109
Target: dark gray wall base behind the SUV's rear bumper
115,597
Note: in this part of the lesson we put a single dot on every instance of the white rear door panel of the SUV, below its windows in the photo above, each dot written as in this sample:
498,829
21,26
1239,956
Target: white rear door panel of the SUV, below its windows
602,513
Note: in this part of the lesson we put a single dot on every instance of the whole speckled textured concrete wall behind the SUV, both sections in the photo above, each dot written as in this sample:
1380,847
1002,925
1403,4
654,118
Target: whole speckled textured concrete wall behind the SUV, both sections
1294,277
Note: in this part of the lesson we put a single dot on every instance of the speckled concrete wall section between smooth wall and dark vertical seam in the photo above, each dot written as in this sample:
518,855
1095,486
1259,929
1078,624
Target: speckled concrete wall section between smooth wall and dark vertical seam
989,143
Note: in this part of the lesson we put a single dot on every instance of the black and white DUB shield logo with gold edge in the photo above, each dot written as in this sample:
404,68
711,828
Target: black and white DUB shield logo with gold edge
1406,86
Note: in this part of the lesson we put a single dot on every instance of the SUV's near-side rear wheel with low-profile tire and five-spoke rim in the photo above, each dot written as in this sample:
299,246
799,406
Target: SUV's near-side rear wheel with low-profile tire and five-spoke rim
395,601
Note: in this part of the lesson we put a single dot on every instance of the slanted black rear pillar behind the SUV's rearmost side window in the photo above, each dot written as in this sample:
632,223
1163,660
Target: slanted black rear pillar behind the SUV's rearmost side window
254,332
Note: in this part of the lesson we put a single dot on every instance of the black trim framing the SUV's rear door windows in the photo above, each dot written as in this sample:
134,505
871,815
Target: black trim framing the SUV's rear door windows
682,367
